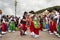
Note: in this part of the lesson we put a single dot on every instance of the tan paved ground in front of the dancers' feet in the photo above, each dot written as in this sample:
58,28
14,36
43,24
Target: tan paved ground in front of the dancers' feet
16,36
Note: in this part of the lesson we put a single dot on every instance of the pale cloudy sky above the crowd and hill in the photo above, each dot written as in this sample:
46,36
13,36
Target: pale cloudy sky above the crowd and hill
8,6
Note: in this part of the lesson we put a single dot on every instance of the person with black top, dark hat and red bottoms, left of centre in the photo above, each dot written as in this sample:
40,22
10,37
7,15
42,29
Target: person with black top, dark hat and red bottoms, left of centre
23,25
